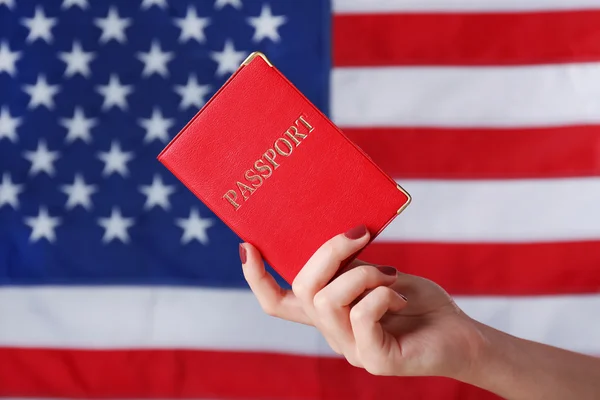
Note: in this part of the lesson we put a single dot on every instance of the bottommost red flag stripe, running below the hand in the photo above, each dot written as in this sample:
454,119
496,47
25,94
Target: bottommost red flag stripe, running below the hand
205,374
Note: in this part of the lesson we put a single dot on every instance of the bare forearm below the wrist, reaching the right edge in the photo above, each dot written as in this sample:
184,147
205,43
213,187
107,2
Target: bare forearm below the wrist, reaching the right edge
518,369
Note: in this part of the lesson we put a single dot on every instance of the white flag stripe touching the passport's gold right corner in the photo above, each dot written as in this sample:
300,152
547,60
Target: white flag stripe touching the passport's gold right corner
498,210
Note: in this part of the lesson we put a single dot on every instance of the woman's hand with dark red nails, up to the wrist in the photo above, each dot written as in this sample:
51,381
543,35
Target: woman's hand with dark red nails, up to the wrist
379,319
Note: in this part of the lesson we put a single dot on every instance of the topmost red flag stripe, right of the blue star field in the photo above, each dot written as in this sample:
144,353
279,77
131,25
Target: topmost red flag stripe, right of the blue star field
466,38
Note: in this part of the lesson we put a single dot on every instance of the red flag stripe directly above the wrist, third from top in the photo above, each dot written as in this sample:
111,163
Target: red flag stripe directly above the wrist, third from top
497,269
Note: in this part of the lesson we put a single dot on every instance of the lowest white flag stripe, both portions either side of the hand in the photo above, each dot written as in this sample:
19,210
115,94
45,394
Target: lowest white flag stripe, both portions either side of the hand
129,317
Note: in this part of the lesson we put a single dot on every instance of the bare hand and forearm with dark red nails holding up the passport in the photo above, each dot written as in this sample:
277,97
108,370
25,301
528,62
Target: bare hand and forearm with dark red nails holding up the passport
405,325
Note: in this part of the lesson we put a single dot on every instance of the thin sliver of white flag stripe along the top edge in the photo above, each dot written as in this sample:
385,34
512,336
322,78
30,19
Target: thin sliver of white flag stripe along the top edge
375,6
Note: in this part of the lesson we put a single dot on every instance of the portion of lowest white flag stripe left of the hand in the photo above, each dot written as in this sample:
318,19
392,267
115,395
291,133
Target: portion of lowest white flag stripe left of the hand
144,317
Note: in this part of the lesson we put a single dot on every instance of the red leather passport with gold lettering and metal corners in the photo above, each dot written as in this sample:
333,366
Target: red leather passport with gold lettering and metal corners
277,171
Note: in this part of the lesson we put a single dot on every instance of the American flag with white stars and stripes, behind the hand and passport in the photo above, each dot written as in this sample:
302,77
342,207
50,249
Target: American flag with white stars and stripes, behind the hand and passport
116,282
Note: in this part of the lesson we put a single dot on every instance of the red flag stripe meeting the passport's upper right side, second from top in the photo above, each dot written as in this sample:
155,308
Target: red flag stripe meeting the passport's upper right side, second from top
482,153
